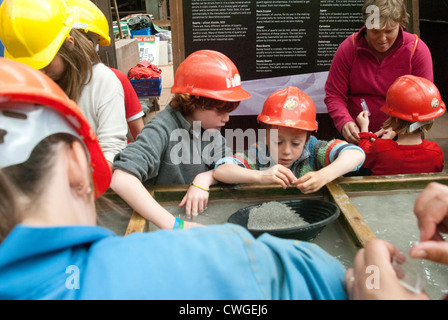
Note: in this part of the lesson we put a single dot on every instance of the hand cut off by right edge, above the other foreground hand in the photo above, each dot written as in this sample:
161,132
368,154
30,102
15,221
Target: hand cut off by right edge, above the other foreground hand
431,210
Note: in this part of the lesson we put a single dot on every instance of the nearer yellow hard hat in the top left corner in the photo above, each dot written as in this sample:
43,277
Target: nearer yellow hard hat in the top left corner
33,31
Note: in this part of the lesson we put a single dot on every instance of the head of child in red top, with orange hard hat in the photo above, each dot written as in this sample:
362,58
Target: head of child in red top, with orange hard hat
412,103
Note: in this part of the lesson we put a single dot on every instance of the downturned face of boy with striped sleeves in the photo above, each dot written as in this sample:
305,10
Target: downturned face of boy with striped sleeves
287,146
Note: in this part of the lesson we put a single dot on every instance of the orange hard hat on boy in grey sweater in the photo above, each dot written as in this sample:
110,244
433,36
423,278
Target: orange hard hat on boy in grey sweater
210,74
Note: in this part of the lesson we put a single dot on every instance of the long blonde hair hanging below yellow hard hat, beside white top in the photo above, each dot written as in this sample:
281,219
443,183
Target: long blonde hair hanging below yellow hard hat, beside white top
78,59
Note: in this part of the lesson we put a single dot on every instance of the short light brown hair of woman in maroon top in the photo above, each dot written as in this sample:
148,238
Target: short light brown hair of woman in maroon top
388,12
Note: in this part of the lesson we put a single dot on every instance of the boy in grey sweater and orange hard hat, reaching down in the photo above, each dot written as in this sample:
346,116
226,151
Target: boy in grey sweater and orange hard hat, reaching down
171,148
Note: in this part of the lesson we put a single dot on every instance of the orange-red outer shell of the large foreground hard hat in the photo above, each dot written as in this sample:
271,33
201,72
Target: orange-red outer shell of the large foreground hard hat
21,83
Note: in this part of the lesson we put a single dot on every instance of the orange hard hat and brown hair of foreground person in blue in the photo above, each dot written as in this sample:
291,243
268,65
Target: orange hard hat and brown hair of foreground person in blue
36,120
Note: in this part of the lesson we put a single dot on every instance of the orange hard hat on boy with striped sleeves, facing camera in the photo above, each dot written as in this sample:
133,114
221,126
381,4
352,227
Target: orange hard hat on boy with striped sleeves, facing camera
289,107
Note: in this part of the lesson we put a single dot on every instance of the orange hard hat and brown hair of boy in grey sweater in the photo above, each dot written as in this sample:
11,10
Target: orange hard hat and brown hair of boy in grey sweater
207,79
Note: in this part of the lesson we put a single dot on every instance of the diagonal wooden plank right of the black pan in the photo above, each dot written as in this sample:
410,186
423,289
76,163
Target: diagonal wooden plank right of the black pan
357,225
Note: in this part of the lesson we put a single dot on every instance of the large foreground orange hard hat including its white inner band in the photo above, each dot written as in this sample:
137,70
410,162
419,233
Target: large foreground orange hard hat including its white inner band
28,90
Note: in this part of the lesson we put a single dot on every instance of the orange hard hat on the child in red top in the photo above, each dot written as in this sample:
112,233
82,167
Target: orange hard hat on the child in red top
413,99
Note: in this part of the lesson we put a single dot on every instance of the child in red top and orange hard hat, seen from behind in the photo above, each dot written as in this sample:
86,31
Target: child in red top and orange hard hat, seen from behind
412,104
